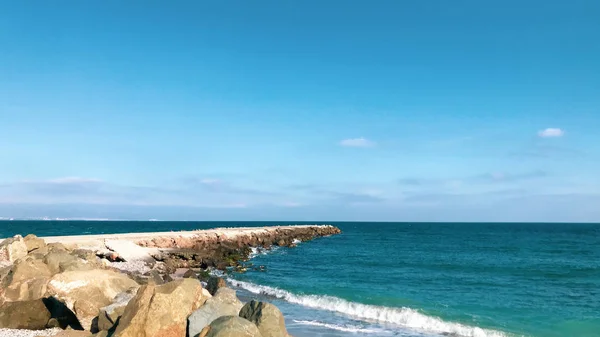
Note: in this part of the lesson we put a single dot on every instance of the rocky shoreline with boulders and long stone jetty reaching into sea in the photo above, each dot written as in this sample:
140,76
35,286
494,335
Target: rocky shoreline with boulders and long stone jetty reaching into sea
138,285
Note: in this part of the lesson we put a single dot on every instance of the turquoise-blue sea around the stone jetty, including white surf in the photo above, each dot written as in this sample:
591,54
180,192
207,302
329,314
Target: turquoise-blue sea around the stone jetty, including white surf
412,279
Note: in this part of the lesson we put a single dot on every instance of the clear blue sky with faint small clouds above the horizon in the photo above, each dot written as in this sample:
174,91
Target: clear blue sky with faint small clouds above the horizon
301,110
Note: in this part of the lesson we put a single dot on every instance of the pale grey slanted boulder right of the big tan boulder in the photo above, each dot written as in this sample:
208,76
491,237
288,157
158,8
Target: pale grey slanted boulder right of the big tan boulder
224,303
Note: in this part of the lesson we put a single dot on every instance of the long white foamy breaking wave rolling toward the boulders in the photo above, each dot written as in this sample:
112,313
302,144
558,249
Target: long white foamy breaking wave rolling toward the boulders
405,317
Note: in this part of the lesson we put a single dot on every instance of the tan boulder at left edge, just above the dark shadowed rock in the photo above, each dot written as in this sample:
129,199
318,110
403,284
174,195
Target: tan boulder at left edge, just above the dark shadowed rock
27,280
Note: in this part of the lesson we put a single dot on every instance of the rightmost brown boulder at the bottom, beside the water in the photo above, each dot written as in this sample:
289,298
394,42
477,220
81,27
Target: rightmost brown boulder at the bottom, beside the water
267,318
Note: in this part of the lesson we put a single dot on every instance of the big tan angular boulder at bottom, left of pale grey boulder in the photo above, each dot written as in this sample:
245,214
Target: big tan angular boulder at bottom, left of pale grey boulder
161,311
